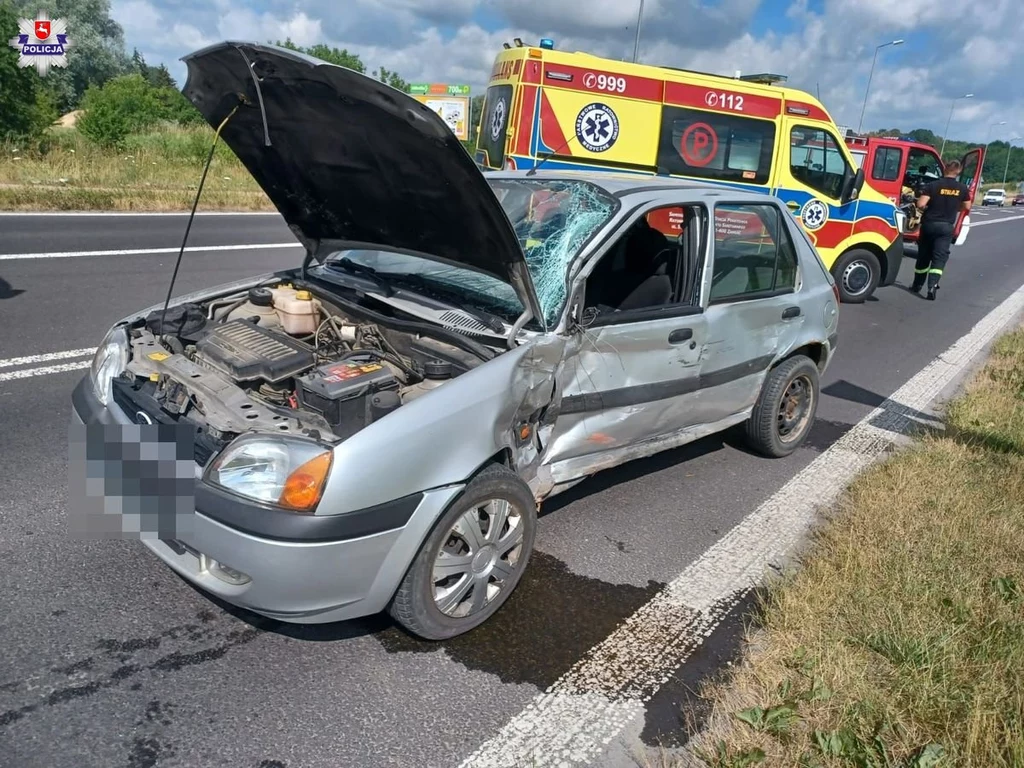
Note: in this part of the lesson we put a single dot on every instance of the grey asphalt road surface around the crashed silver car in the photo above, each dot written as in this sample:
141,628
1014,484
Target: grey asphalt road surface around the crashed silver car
110,660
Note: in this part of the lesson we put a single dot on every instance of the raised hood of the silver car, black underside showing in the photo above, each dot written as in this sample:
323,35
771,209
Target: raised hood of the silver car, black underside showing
353,163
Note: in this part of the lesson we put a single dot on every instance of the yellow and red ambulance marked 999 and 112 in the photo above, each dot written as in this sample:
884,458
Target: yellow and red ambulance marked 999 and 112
576,111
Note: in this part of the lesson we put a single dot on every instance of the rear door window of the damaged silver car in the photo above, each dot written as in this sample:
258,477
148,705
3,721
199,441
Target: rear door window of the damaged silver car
754,255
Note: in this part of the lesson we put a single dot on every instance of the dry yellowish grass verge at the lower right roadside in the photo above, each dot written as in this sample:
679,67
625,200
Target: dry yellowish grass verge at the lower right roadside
901,642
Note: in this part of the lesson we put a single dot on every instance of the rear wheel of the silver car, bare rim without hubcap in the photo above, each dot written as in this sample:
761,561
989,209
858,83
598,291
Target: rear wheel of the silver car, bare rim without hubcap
786,409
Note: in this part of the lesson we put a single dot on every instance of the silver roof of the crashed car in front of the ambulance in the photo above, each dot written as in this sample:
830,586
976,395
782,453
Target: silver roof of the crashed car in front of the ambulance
627,185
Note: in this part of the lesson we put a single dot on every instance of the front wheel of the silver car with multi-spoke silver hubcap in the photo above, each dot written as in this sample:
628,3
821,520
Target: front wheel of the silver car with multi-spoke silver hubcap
473,561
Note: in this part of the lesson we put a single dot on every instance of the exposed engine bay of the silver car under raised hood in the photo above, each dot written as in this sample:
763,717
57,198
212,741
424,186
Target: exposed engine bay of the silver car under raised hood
283,360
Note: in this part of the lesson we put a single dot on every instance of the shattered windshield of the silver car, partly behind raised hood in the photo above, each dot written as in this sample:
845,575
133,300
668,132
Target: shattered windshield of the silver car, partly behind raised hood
553,221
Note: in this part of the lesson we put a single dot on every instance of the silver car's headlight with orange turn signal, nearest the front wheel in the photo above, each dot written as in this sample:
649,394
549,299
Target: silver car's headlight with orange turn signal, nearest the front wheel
286,473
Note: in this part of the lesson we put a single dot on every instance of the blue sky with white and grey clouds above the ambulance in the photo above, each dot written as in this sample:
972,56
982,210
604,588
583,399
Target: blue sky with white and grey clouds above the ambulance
951,49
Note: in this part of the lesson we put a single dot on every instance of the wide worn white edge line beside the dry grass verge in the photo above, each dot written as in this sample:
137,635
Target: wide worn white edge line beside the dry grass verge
574,721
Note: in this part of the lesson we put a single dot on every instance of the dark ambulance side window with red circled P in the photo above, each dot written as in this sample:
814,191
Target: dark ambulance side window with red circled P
724,148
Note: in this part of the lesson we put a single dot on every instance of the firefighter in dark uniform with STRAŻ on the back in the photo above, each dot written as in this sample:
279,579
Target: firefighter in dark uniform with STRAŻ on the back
942,201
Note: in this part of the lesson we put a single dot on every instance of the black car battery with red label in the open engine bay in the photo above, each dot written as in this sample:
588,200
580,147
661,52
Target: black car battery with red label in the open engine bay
342,392
